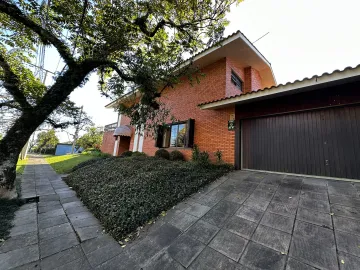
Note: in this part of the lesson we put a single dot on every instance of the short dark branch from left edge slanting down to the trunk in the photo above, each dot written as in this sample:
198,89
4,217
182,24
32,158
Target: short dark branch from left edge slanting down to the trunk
12,84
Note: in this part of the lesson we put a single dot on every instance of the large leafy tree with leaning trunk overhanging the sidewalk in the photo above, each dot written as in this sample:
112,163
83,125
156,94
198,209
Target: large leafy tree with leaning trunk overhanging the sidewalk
131,45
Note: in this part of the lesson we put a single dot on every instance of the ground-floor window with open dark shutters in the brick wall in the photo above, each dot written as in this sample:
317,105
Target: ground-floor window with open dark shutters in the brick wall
179,134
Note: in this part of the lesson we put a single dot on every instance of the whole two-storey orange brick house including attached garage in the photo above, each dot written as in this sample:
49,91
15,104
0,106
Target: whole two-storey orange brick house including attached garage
311,126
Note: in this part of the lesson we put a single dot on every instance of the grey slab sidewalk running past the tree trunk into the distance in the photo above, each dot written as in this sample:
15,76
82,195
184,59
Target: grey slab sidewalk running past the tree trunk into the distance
58,232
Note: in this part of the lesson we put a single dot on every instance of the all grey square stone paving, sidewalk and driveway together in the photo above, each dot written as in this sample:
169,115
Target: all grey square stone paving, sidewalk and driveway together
242,221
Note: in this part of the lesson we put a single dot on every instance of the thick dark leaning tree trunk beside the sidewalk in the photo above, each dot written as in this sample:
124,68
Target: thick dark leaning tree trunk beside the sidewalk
28,122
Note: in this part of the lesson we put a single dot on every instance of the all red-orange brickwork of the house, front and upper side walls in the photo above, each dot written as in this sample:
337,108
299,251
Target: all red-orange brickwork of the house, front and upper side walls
211,126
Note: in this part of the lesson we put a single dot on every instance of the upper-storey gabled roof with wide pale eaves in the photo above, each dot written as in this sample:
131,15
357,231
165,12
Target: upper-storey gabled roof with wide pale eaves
236,46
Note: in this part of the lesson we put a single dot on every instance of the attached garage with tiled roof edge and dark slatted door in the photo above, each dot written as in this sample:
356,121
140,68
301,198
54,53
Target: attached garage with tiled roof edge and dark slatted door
307,127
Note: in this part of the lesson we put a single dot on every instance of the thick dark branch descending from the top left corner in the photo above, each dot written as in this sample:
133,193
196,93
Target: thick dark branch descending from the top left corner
47,37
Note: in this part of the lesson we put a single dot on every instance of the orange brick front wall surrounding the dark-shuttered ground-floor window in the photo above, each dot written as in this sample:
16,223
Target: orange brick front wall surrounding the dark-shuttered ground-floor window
211,131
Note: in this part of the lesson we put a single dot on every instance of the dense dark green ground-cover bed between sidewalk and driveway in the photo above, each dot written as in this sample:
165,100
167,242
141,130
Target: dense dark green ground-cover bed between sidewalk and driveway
126,193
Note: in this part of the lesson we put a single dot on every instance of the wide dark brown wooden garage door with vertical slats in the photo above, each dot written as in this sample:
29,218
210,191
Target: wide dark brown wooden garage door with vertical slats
321,142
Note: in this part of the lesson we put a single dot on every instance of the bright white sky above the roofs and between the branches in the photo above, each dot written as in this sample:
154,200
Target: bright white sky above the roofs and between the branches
306,38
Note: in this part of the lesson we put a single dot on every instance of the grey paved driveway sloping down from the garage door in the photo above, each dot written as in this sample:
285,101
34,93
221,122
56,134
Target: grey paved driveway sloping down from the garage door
256,221
